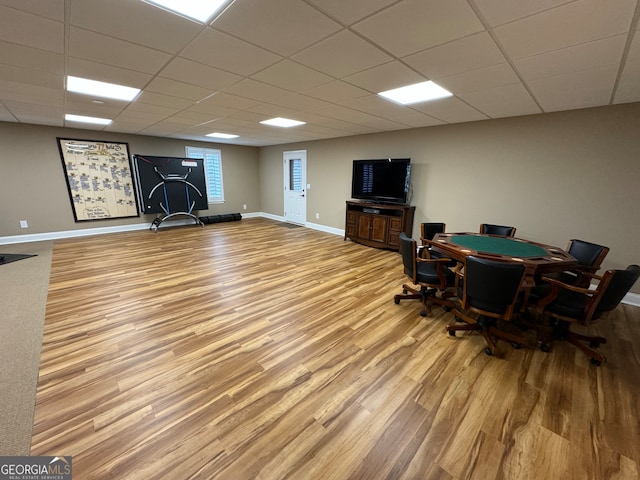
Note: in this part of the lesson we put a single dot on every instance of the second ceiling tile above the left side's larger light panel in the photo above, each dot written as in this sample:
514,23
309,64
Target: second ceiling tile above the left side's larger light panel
110,51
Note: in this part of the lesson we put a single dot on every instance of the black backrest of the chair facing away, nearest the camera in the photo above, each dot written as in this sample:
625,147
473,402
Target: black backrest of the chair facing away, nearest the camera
492,286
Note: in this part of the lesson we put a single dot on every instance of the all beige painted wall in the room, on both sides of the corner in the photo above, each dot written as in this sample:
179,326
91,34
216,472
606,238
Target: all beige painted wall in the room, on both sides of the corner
555,176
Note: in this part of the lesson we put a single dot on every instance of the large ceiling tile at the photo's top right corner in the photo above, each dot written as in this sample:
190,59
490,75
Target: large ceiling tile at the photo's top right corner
565,26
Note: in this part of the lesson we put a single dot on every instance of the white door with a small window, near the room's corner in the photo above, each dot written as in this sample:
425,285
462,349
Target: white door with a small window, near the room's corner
295,187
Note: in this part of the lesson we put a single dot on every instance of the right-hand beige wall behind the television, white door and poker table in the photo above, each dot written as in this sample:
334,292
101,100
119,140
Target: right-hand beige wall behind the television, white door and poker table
555,176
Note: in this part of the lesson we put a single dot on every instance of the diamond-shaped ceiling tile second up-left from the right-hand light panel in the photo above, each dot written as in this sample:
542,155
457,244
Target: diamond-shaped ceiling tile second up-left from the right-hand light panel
342,54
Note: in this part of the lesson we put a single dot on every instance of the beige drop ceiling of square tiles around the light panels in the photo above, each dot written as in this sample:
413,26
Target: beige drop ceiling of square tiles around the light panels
316,61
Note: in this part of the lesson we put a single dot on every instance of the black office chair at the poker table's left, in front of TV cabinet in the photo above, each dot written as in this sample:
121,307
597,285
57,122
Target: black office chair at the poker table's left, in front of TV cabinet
428,276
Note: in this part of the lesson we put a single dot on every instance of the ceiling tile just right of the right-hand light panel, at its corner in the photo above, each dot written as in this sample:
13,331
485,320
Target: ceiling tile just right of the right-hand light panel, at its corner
506,101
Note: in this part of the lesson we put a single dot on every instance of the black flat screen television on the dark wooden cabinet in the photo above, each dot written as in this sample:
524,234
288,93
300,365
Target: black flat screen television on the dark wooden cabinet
381,180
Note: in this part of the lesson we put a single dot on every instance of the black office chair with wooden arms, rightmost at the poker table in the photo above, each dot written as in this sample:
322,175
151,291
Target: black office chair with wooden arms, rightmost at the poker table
567,304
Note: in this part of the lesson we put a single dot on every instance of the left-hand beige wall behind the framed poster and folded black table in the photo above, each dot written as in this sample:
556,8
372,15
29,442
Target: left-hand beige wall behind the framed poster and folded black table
33,187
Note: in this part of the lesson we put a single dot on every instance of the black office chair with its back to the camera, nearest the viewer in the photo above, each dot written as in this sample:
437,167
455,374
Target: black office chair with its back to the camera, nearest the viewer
490,291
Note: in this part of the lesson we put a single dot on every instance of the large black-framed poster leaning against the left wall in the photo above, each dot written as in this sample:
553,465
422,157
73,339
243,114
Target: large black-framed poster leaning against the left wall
99,179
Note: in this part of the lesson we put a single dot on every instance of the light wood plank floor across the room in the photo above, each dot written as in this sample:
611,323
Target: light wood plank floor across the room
251,350
